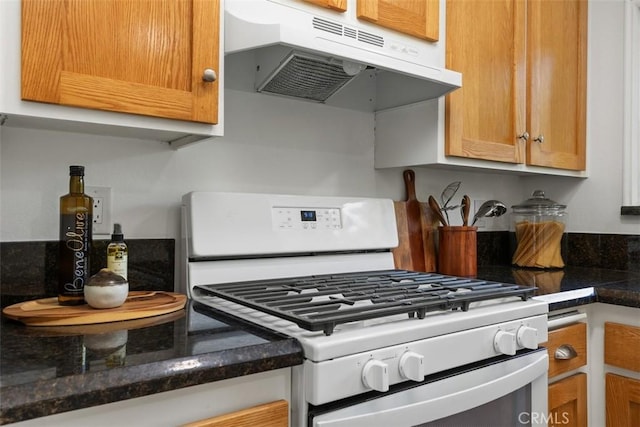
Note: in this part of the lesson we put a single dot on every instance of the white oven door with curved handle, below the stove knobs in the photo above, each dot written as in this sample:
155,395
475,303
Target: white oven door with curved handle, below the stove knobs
498,392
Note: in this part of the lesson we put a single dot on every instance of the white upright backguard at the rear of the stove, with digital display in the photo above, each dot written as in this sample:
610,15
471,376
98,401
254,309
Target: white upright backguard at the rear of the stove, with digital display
244,225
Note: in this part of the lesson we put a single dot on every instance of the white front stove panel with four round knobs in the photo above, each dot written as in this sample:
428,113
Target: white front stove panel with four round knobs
381,368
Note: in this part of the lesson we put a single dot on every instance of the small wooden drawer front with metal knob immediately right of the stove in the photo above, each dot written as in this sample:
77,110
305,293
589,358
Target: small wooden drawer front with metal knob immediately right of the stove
572,336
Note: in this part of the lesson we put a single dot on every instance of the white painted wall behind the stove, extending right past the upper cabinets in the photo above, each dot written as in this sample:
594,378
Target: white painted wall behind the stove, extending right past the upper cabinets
276,145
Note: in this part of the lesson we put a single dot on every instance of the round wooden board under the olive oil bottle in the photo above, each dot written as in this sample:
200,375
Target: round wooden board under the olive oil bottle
139,304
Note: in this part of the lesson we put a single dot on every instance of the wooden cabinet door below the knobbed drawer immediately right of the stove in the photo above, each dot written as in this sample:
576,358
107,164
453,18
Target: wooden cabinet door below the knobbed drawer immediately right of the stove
568,401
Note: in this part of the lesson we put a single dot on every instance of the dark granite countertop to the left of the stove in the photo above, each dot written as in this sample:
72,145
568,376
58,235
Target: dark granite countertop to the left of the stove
49,370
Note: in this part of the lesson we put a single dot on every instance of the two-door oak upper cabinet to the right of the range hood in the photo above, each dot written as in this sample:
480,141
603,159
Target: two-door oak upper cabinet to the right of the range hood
523,95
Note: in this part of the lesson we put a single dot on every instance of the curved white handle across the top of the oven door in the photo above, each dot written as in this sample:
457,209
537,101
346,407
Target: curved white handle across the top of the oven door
452,395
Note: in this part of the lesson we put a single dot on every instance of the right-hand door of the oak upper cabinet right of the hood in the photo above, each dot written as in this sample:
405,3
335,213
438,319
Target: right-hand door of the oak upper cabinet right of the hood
556,39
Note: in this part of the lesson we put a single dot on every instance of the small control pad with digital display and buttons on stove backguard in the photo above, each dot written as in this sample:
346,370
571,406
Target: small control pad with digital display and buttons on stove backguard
296,218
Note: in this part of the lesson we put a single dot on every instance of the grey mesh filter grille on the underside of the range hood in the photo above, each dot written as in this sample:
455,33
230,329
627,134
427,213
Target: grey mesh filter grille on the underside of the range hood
304,76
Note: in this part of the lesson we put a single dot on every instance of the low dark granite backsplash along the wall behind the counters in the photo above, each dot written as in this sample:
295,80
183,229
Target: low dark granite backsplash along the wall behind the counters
29,269
